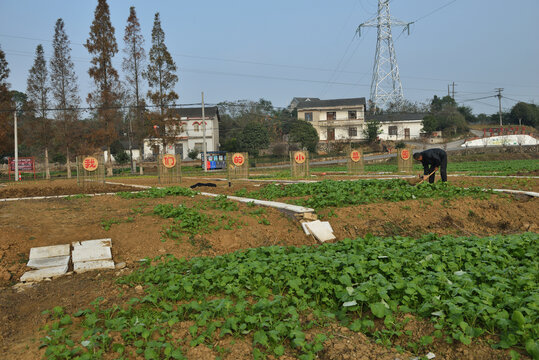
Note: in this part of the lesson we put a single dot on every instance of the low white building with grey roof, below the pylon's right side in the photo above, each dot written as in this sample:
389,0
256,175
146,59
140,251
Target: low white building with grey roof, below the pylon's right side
399,126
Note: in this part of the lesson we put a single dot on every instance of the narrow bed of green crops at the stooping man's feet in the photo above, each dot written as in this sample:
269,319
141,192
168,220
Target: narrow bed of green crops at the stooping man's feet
345,193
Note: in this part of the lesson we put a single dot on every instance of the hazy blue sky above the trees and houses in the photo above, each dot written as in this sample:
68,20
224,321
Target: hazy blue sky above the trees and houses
280,49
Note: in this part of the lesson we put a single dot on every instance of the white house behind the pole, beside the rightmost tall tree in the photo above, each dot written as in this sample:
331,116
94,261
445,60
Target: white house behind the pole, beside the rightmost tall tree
190,136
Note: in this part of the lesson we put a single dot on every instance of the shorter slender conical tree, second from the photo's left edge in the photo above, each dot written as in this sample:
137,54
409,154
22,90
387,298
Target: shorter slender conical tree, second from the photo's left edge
37,91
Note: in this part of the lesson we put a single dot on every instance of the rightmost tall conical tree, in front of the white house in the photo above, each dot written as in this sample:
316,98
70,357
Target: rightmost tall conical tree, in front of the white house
162,78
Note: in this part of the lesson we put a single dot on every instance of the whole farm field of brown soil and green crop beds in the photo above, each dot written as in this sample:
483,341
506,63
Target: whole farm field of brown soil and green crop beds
448,269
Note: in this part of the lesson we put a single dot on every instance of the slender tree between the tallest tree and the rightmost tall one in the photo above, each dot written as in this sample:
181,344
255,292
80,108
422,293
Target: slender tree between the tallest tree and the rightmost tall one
133,64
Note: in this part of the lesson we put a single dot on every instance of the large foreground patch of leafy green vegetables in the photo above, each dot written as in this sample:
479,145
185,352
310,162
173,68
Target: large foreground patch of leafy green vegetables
466,285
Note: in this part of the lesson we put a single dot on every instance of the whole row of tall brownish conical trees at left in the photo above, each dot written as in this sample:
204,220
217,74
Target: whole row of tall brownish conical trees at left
50,110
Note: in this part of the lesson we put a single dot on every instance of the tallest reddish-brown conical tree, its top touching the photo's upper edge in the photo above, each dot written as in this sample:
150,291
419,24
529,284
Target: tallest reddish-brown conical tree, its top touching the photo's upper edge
102,45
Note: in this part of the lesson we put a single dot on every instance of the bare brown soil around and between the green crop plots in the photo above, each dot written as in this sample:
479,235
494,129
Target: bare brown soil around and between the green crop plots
136,234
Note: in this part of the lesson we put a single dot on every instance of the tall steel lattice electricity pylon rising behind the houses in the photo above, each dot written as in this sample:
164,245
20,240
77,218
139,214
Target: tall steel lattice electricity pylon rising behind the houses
386,85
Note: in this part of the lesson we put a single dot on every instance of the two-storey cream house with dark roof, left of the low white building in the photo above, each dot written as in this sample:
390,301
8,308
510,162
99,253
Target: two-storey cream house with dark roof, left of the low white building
337,119
